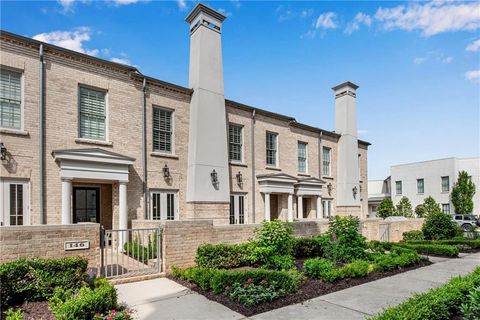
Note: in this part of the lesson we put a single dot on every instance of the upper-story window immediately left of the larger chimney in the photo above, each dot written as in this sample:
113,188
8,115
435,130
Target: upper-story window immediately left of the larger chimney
162,130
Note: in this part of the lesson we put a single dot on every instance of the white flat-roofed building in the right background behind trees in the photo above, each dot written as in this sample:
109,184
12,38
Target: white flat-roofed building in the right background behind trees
419,180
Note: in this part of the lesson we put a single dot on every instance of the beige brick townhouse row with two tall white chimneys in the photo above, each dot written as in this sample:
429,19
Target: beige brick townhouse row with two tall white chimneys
89,140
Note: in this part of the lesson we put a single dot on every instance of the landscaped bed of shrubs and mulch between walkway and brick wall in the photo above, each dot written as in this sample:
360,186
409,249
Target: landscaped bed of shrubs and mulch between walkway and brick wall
275,270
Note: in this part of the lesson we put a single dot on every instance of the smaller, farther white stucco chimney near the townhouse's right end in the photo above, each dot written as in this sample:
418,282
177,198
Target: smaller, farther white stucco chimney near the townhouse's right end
348,175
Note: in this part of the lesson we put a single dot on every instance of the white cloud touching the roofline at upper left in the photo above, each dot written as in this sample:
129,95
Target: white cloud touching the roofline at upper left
73,40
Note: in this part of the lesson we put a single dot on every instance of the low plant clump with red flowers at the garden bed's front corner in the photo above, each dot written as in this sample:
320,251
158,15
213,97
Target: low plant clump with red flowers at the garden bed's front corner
250,294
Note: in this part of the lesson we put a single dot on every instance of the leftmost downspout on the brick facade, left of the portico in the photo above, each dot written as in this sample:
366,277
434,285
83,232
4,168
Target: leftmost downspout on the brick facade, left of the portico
41,147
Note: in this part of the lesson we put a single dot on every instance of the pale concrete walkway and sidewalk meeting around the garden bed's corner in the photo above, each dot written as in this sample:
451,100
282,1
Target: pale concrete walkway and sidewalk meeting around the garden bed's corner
165,299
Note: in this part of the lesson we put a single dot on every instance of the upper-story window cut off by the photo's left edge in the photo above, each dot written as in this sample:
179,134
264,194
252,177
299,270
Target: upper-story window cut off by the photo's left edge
10,99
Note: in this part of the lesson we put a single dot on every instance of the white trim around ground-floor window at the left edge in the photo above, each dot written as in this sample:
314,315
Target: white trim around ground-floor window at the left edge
5,201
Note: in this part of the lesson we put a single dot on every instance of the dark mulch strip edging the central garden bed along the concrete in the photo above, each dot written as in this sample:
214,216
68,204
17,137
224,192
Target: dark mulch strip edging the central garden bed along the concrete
311,288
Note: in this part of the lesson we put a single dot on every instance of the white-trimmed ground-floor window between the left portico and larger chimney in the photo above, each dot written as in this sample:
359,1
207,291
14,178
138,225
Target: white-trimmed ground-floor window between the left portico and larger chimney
163,205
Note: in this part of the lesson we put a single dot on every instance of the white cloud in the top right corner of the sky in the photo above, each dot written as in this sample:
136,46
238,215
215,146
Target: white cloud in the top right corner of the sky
431,18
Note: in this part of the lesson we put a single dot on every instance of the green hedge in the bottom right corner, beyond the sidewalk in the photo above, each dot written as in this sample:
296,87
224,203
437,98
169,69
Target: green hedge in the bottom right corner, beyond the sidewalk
436,304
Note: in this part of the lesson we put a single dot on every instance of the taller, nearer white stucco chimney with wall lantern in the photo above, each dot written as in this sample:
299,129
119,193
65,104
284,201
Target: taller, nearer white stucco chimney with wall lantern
208,149
